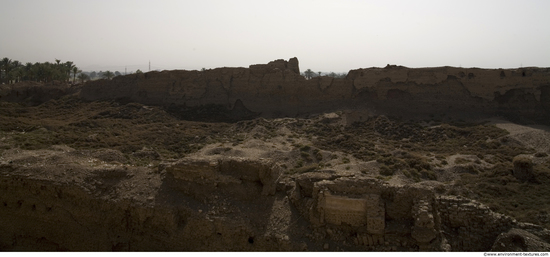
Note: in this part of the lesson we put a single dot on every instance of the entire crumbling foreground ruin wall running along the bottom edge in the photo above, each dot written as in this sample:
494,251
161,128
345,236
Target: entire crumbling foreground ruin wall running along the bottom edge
235,204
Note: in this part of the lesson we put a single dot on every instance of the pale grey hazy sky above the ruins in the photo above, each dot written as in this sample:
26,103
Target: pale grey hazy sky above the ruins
325,35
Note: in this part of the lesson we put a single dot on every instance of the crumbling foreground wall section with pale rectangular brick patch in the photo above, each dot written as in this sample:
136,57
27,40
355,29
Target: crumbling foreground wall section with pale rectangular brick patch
364,208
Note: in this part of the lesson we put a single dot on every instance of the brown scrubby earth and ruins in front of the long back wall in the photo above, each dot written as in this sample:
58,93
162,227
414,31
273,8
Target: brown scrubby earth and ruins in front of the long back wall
135,177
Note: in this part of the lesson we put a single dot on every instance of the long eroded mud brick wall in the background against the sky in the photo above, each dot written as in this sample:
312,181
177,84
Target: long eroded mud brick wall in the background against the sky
277,89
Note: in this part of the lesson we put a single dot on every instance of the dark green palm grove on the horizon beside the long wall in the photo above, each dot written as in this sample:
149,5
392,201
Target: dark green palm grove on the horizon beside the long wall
13,71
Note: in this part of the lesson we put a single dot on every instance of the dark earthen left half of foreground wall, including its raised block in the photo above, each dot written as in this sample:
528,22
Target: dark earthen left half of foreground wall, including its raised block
106,210
